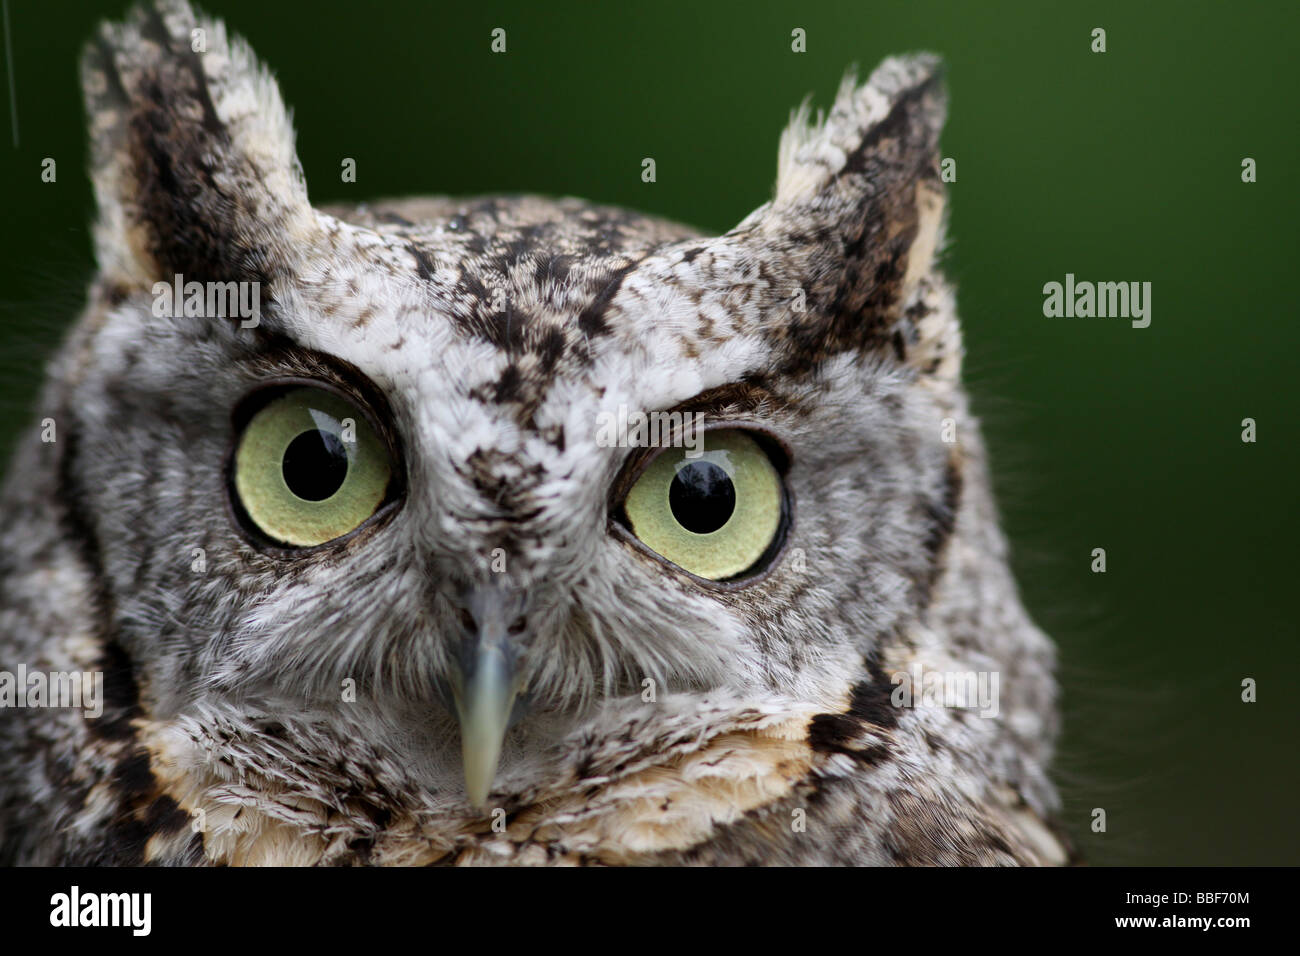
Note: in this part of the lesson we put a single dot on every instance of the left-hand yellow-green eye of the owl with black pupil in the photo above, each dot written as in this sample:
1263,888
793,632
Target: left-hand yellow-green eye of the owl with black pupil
310,469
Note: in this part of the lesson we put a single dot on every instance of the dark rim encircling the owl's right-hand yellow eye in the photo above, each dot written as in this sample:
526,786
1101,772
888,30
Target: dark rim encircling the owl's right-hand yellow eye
779,458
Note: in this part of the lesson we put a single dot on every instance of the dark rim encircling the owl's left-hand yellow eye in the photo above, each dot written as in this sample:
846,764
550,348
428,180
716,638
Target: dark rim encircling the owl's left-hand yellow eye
363,401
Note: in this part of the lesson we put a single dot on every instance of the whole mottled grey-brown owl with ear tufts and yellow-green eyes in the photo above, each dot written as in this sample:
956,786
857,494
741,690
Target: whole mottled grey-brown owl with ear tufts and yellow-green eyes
509,530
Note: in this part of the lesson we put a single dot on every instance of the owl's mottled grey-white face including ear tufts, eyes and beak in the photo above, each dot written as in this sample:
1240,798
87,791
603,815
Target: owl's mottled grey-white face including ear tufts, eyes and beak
486,474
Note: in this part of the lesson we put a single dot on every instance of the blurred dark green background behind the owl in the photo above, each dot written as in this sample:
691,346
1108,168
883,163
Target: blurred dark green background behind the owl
1123,166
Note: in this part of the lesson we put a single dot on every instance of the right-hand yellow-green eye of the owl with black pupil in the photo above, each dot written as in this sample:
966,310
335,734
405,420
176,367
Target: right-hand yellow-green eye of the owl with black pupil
714,514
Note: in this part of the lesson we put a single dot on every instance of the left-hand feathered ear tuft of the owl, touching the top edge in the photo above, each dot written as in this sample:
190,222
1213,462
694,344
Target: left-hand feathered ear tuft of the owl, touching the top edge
192,153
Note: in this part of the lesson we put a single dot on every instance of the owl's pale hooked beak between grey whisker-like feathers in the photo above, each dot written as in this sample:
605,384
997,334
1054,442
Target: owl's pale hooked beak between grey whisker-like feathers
489,685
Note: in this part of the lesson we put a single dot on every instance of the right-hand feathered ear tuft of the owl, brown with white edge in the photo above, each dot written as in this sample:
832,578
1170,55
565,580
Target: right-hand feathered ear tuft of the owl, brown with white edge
857,220
